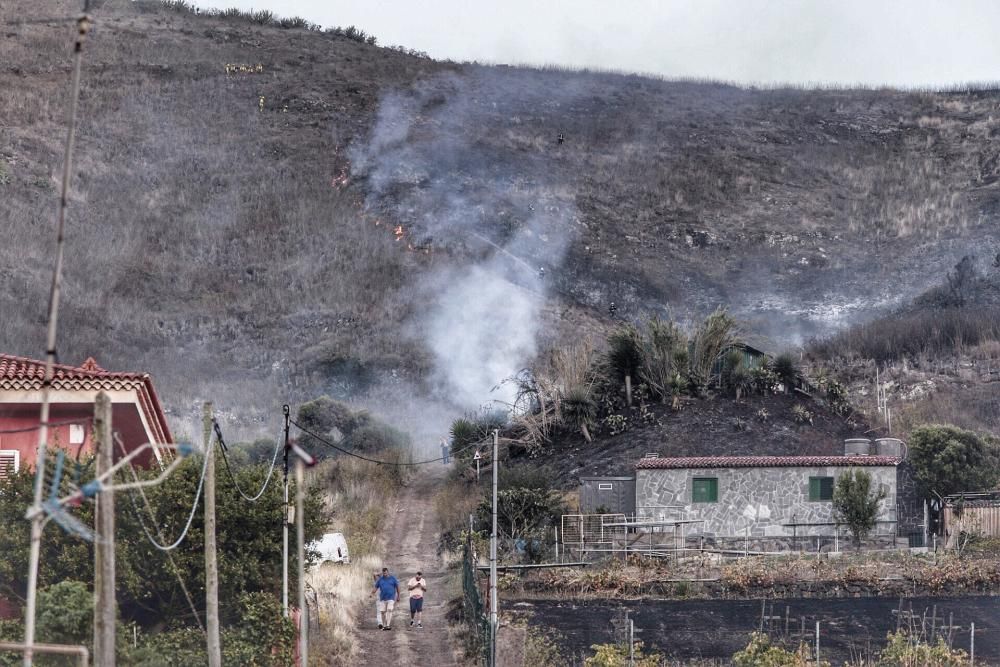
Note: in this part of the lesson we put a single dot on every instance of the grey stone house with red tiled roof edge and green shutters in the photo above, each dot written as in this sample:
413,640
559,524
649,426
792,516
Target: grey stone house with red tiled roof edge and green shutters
765,501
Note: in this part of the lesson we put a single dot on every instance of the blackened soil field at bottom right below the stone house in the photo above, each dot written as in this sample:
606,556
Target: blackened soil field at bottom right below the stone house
849,628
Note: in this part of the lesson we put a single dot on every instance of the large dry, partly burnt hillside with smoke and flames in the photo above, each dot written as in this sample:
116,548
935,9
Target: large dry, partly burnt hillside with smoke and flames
266,213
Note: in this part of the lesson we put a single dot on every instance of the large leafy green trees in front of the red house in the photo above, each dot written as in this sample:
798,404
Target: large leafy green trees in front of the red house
248,537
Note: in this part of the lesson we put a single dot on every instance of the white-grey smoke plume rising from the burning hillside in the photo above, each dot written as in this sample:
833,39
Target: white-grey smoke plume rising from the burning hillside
439,161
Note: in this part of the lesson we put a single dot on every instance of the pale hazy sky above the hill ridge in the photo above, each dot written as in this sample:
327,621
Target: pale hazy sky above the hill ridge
912,43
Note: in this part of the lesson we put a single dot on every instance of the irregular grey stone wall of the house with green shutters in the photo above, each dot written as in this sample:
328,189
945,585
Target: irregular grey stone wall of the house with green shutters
761,499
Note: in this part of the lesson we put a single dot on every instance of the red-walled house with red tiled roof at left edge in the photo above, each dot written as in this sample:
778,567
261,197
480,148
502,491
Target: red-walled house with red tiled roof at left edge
136,412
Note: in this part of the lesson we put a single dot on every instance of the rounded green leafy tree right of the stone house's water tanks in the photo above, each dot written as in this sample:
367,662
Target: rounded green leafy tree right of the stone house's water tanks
947,459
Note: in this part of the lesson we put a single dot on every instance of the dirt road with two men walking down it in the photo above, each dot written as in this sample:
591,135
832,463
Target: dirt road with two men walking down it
411,545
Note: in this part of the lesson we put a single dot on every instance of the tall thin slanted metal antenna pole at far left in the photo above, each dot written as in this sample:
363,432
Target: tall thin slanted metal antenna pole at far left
83,26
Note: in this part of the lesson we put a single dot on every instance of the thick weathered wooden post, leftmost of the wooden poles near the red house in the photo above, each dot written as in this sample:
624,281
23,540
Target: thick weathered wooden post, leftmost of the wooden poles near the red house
104,543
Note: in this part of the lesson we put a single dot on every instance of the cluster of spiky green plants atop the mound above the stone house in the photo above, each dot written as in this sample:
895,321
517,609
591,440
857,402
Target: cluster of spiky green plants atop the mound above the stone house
656,361
